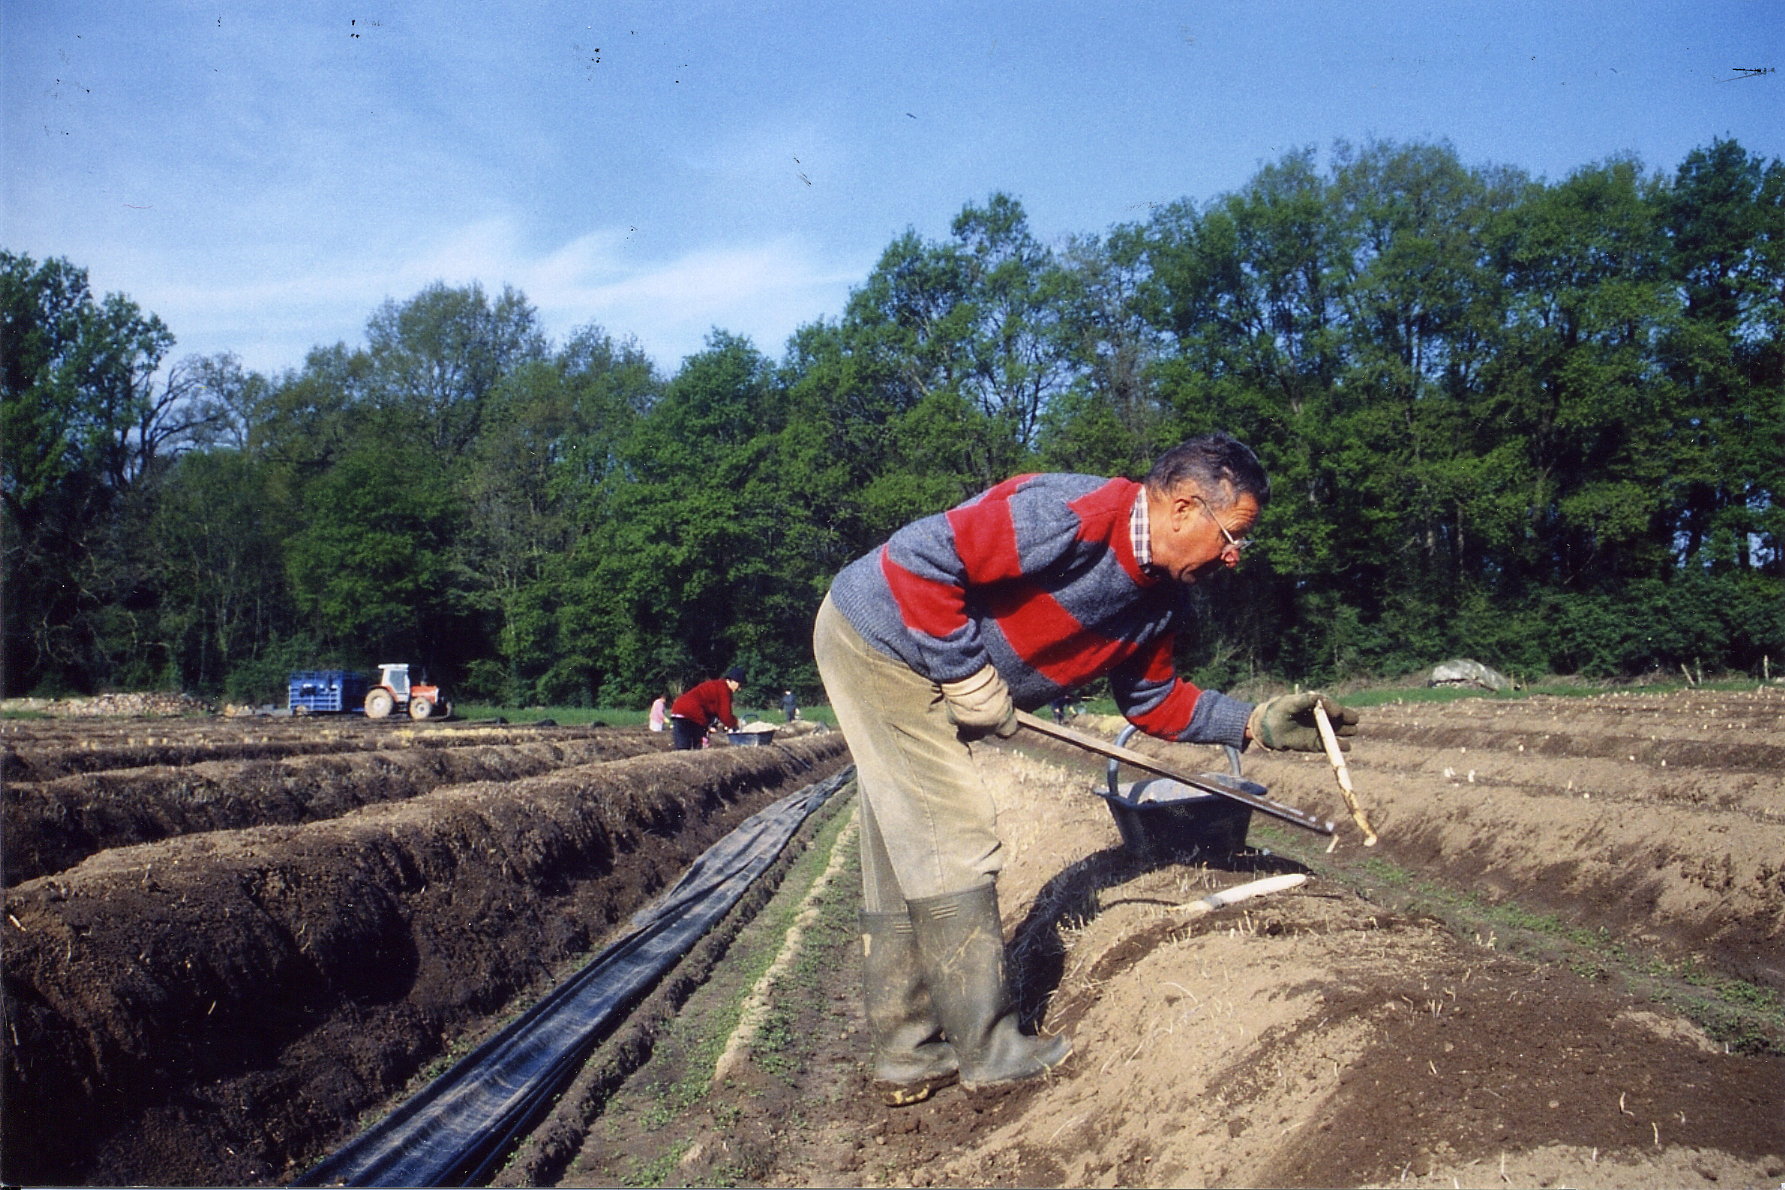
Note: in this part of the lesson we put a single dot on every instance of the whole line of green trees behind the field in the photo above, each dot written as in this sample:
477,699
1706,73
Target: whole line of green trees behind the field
1541,424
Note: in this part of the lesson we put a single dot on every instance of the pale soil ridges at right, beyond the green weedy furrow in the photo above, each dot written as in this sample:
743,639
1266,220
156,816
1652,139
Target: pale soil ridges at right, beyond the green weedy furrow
1659,820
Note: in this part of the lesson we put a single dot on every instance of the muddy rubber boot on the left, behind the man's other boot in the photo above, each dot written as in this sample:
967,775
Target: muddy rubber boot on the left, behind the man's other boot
911,1059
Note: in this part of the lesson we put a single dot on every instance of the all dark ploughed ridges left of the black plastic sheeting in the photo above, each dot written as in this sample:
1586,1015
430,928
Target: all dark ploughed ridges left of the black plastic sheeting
228,939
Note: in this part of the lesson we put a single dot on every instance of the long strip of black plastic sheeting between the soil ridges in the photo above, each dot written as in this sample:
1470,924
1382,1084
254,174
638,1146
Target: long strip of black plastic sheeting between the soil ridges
454,1132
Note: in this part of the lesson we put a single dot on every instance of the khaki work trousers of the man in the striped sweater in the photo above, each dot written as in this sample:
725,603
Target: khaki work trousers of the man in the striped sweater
929,823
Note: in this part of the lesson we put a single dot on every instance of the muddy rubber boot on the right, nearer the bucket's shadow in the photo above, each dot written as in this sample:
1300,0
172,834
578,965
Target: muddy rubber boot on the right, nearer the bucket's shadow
961,945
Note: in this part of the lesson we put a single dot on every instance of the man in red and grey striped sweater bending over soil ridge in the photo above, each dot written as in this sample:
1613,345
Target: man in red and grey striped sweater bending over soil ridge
933,641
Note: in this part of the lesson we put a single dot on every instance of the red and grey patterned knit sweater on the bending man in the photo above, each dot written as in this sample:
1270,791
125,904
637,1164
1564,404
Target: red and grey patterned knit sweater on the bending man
1036,577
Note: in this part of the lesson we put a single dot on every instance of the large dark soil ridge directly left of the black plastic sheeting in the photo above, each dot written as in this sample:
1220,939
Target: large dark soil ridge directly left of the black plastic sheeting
220,1007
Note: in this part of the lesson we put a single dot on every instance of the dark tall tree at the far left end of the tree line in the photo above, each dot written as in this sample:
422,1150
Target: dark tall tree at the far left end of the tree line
85,427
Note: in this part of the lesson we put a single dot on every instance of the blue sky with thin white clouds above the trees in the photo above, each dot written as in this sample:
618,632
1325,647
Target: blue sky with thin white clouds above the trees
263,176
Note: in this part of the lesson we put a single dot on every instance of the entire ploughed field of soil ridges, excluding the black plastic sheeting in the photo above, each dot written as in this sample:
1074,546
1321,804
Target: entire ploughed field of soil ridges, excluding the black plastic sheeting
1563,964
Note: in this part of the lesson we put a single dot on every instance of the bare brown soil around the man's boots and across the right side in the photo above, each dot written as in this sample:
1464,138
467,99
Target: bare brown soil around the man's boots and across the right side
1329,1036
